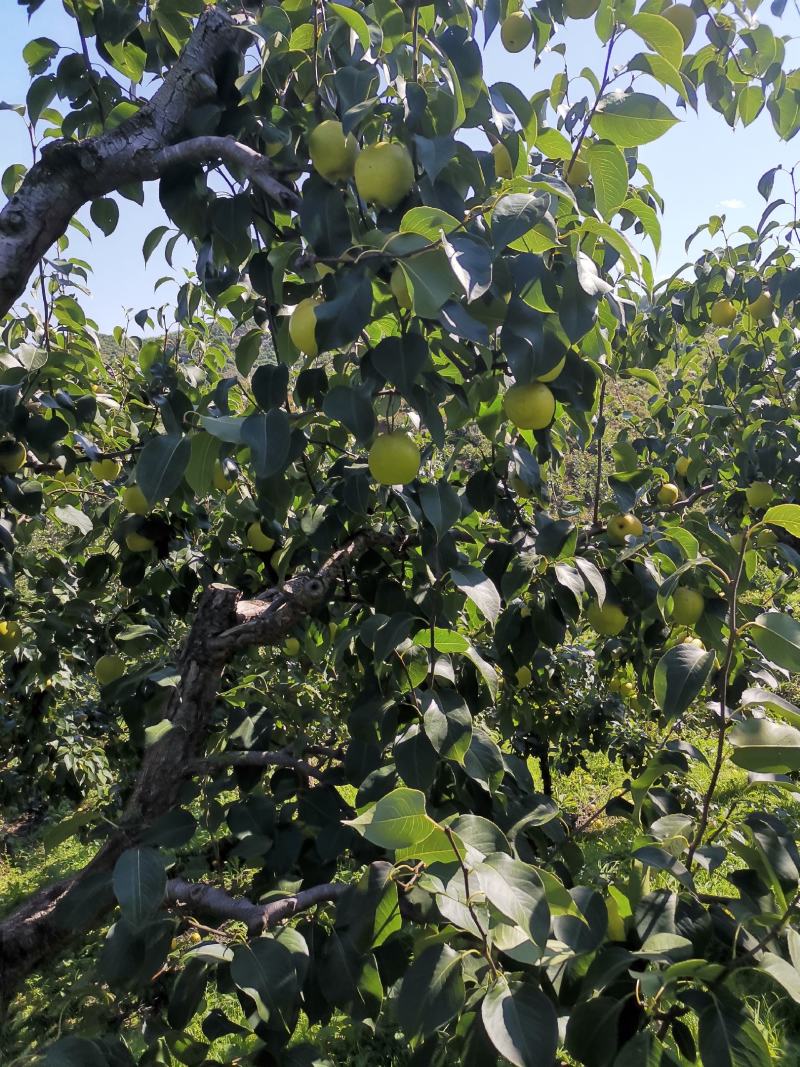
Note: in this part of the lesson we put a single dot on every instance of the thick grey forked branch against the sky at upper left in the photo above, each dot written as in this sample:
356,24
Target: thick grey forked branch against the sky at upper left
72,173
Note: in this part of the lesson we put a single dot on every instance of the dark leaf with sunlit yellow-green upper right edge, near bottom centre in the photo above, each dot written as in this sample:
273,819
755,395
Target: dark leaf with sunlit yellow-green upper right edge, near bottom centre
433,992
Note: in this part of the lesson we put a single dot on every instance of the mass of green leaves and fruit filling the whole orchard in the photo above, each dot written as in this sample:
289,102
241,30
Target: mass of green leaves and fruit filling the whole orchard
391,750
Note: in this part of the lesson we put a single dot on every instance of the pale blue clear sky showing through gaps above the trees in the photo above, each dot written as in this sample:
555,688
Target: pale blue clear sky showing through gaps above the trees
701,167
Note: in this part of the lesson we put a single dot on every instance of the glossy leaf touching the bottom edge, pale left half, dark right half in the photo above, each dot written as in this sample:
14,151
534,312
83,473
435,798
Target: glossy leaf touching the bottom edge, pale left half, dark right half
522,1024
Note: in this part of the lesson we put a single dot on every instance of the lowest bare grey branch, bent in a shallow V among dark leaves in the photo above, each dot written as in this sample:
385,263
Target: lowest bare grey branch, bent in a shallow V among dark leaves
211,901
